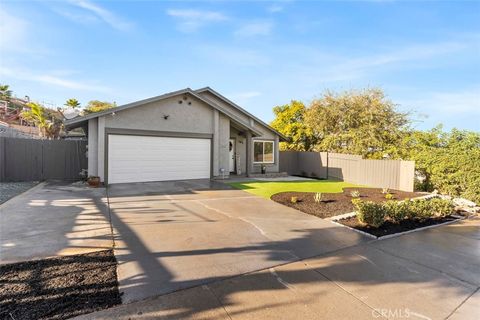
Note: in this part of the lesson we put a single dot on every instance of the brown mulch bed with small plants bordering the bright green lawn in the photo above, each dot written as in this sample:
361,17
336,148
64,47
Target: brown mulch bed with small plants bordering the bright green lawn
334,204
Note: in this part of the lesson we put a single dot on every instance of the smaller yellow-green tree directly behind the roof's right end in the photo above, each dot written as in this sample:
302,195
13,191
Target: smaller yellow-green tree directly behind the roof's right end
290,121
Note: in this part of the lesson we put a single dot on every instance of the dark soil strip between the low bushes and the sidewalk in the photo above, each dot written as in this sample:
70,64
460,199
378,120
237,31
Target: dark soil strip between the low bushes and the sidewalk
390,228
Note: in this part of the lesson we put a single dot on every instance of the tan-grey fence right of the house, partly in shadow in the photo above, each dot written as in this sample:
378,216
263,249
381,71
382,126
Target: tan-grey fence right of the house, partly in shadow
393,174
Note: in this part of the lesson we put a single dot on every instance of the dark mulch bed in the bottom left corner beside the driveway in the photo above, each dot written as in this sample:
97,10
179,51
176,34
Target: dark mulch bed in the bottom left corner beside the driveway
58,288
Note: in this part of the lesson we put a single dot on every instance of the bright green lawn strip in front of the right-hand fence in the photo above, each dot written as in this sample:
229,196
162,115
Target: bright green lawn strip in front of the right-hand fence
268,188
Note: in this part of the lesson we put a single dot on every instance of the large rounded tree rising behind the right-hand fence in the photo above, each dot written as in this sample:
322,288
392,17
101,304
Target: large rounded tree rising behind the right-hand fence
359,122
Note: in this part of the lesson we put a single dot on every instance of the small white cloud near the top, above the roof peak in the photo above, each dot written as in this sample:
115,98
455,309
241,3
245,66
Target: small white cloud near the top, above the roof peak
191,20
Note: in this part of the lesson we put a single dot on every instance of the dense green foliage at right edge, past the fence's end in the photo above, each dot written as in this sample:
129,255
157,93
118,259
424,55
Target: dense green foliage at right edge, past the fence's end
448,161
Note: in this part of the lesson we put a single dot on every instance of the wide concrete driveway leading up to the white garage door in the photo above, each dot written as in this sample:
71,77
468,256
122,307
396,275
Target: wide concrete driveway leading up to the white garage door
175,235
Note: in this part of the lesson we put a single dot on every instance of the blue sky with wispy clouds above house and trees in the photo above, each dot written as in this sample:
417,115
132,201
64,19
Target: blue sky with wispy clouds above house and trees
425,55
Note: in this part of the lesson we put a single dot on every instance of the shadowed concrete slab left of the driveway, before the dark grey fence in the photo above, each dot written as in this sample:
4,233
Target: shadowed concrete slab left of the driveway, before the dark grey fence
54,219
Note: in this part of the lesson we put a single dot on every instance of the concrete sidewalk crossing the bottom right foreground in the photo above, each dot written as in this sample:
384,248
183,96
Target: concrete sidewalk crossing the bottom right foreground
431,274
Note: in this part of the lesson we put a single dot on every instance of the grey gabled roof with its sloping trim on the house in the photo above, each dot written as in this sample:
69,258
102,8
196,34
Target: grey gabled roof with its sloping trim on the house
80,121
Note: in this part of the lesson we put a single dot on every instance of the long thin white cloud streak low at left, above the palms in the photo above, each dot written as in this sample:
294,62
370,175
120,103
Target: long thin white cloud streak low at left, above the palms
50,79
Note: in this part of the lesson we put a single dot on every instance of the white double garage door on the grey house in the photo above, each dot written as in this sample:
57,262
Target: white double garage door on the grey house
144,158
